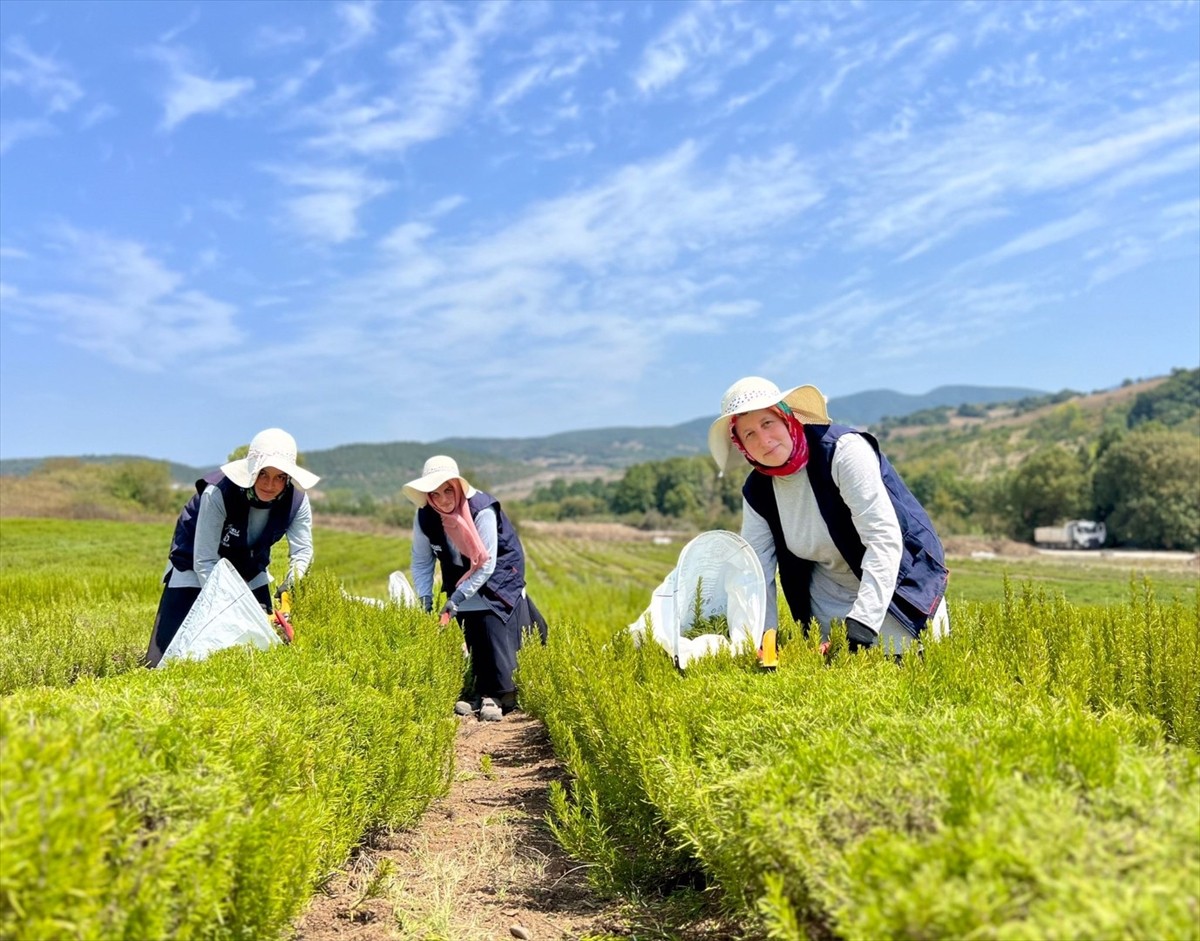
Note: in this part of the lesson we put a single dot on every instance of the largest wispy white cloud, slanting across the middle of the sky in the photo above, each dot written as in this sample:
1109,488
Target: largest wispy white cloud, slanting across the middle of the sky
593,286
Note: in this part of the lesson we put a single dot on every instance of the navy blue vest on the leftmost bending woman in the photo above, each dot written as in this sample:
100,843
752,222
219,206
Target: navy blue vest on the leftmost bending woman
249,561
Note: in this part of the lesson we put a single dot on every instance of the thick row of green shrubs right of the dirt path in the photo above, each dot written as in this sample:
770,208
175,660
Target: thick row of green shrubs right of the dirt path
1034,776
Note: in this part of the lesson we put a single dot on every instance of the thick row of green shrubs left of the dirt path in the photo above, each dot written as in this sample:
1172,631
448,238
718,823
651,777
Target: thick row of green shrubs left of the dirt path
208,800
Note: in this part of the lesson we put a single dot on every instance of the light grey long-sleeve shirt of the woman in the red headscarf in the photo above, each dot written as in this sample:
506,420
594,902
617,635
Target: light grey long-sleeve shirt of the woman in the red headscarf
836,592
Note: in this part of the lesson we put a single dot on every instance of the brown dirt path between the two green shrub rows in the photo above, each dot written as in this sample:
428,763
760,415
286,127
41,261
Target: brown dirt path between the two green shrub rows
479,866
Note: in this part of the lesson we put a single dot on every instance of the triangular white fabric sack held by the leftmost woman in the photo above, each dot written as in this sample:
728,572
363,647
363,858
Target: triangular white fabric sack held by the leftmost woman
225,615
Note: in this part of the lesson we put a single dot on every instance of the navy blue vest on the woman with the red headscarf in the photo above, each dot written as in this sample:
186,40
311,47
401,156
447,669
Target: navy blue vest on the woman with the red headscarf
922,580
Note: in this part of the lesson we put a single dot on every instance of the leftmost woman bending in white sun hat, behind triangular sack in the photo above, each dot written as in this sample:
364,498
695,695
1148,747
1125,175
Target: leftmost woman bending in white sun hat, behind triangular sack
238,513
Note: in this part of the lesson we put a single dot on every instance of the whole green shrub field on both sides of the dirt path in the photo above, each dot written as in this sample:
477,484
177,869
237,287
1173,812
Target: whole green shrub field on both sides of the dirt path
1035,776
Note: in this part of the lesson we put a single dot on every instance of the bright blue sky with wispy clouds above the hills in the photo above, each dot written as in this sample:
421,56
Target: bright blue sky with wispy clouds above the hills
403,221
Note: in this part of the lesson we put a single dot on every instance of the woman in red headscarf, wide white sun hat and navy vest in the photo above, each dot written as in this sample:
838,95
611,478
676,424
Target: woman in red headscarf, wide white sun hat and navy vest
826,508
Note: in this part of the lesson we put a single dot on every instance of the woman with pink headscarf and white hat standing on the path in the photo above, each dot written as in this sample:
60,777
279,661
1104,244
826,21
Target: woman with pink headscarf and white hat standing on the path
483,574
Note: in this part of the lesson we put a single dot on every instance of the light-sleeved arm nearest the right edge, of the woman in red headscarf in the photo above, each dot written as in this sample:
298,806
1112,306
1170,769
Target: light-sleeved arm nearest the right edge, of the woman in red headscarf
856,474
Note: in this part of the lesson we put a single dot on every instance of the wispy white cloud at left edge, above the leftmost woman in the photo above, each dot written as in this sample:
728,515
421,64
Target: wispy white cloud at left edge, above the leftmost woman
124,305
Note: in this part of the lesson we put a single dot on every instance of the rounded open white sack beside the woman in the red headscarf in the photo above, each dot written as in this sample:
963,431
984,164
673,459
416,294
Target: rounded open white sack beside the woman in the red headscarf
733,585
